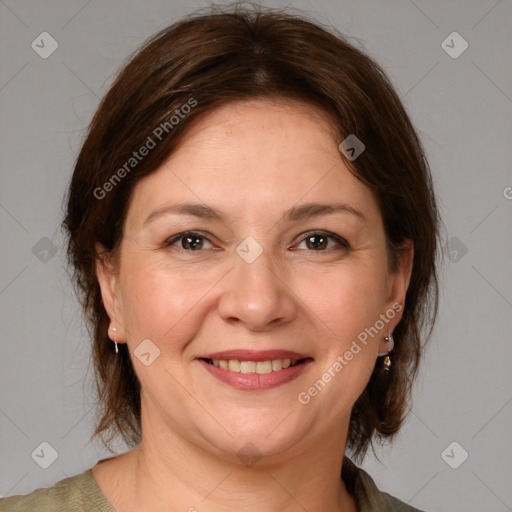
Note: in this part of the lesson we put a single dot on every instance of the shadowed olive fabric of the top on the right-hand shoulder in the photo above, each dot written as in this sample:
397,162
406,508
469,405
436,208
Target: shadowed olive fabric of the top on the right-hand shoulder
368,496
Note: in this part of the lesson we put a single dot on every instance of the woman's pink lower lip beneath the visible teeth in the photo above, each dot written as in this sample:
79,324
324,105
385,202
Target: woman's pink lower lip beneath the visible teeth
256,381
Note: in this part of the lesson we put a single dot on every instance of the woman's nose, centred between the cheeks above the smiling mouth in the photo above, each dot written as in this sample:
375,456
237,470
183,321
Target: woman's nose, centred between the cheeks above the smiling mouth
257,294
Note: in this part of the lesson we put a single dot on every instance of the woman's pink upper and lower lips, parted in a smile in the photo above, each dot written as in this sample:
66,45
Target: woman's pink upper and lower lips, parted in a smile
254,381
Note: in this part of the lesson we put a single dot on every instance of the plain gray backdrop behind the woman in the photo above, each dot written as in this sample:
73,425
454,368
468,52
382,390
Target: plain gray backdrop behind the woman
462,108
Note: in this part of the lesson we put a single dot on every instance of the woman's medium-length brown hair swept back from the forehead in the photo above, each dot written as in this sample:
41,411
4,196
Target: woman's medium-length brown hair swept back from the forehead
236,54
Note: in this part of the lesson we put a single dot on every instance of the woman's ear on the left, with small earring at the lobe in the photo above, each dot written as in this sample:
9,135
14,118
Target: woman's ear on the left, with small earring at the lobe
108,280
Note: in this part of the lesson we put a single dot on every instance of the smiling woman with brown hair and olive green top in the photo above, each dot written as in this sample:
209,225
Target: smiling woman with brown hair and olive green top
253,232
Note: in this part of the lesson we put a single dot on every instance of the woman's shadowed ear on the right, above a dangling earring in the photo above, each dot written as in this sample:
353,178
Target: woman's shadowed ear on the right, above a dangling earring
398,285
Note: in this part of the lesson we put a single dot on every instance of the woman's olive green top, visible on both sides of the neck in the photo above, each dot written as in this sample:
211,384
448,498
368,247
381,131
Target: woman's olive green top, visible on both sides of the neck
81,494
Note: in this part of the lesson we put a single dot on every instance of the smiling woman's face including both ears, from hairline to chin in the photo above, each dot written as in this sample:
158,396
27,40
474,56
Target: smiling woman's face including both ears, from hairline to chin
266,278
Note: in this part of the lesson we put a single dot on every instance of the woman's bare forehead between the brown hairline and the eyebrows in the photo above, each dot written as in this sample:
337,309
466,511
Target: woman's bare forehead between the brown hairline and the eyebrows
254,156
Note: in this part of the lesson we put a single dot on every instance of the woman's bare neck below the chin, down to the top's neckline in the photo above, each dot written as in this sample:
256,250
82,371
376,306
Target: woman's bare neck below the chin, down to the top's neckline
171,473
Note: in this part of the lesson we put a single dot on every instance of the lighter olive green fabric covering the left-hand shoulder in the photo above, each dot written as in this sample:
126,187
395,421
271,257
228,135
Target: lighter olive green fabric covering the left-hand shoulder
74,494
